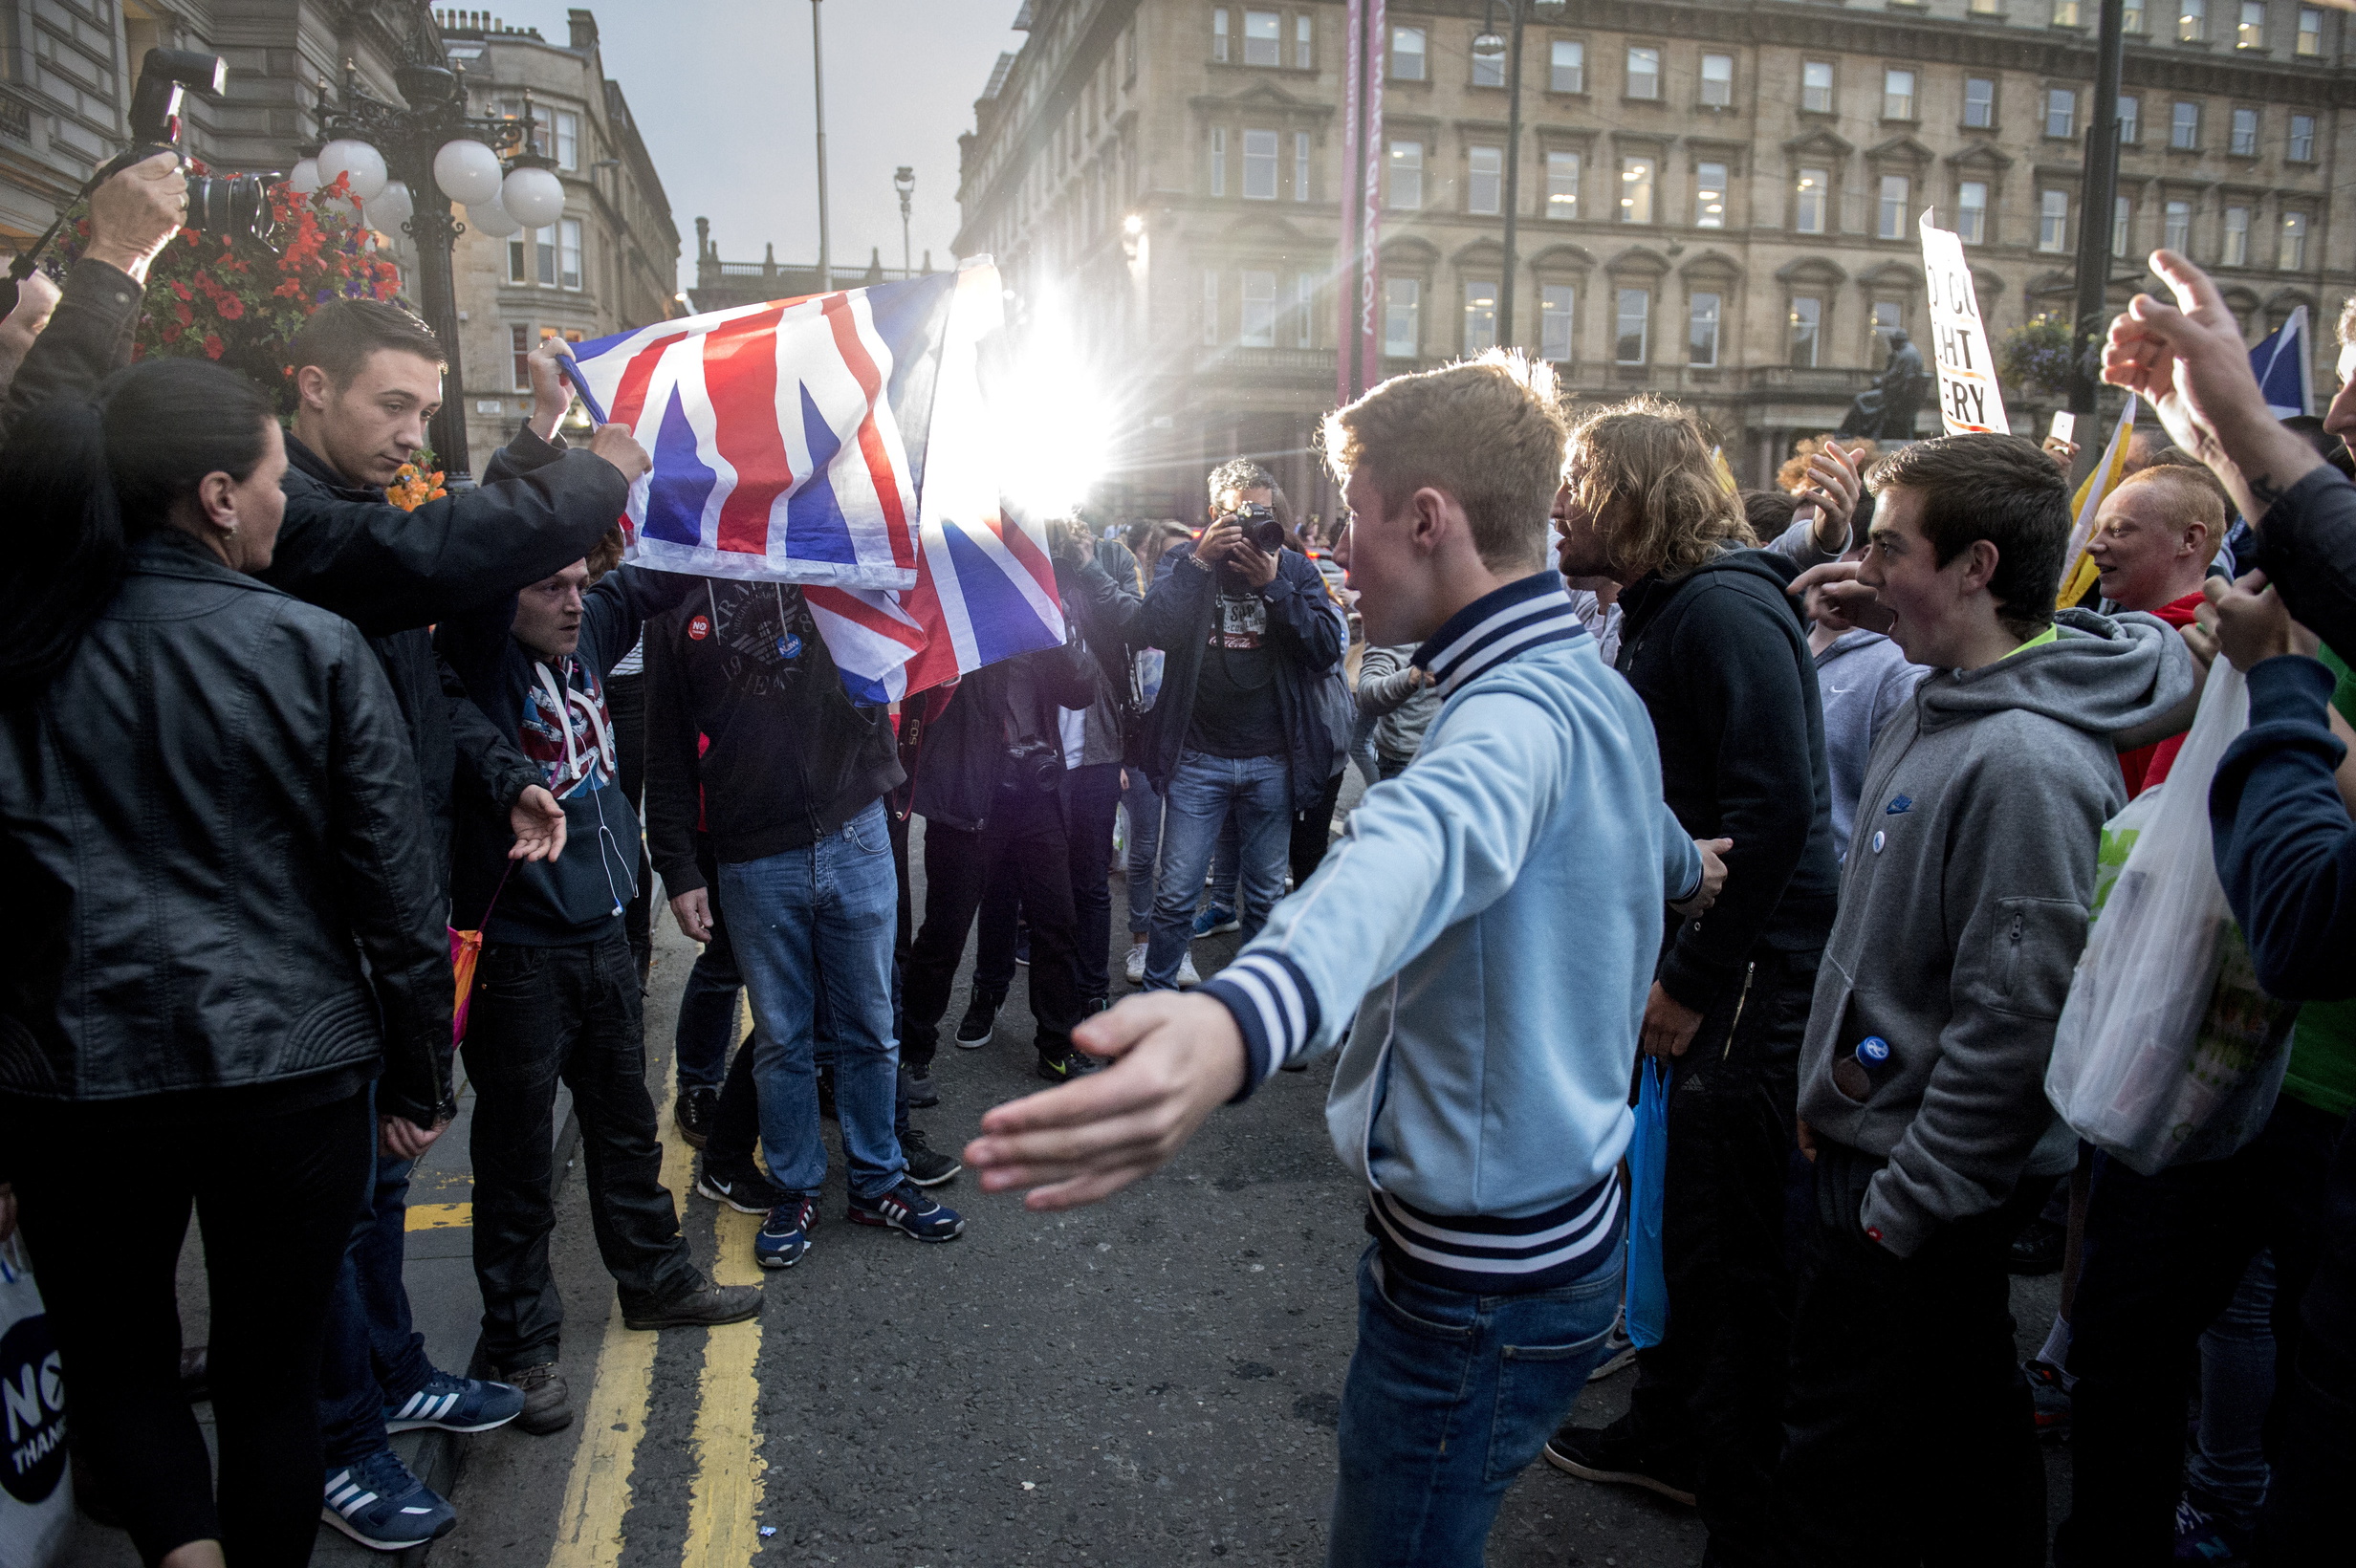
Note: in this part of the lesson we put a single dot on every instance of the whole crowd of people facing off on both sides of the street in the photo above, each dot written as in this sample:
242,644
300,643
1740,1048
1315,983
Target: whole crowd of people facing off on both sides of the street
1796,792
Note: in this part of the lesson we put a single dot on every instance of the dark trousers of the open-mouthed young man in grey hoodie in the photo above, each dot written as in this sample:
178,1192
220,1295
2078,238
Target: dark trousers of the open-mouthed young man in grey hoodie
1907,1437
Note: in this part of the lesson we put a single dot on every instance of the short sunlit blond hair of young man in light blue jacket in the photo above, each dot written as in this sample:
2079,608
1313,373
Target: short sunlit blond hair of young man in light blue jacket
1488,432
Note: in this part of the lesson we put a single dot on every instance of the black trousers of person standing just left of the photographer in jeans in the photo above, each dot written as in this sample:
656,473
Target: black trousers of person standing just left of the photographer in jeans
1028,842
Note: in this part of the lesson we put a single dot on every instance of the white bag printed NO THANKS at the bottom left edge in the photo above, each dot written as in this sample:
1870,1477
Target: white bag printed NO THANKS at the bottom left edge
37,1496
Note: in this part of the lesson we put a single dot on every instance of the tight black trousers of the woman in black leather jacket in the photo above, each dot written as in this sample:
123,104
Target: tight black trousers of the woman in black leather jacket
277,1197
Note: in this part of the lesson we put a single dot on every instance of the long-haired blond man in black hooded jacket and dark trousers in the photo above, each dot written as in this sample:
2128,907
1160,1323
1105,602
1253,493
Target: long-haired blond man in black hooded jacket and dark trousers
1721,658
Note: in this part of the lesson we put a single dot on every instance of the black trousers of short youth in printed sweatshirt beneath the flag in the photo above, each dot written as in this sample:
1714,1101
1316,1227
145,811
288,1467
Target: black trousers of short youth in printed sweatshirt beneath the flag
545,1014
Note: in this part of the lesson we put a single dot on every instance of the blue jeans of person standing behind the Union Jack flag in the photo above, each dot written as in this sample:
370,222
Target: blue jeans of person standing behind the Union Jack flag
823,910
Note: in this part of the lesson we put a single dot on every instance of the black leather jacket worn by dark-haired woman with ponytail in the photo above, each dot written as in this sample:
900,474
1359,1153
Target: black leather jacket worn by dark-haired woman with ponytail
206,825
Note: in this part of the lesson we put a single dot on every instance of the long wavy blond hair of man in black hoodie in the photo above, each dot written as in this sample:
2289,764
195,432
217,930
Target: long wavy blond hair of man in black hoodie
1657,456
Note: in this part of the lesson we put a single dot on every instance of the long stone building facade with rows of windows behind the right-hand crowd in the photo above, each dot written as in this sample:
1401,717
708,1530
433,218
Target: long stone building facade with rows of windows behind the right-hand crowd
1716,199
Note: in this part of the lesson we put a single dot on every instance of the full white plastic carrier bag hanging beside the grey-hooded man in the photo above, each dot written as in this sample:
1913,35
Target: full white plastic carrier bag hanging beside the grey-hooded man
2169,1051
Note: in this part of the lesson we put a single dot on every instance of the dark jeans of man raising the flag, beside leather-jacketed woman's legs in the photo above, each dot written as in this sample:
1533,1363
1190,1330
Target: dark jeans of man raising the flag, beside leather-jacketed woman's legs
376,1357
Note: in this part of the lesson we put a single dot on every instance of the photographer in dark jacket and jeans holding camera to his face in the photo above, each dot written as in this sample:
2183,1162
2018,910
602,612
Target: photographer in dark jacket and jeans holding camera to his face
1236,729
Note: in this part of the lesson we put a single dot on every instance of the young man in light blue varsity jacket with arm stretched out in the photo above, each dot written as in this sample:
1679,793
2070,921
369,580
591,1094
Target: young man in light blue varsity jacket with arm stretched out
1485,1115
